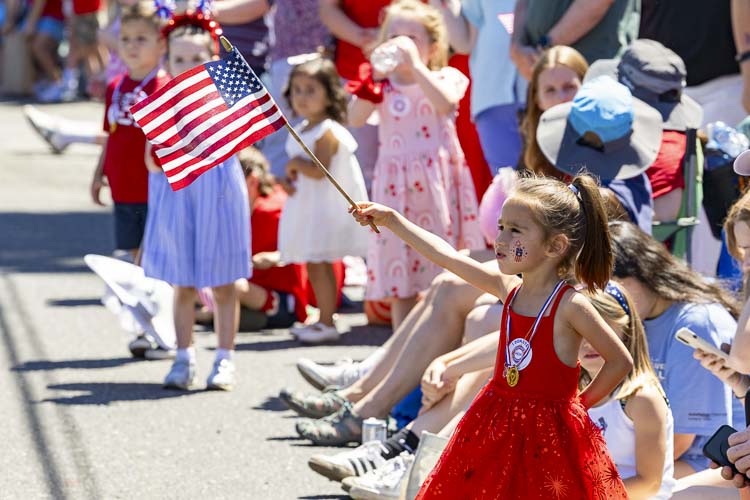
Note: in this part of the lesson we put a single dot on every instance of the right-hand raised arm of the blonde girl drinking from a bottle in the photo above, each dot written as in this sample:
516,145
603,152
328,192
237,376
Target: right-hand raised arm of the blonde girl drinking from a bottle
440,92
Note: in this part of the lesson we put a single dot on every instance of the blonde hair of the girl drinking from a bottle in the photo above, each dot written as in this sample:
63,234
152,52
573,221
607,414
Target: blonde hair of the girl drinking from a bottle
427,16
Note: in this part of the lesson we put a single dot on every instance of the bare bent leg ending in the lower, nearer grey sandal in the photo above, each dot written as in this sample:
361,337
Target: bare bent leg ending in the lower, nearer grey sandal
436,336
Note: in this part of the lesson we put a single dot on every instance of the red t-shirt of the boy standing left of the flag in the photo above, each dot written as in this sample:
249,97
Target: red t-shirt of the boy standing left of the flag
124,163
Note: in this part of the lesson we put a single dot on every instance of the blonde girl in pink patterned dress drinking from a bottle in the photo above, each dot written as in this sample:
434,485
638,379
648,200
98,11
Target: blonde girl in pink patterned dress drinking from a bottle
421,171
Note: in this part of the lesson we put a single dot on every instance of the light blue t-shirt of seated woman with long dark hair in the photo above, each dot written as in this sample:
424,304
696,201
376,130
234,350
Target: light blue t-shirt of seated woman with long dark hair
700,402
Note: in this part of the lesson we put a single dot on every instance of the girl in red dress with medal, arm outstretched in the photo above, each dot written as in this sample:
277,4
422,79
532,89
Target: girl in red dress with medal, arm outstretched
527,434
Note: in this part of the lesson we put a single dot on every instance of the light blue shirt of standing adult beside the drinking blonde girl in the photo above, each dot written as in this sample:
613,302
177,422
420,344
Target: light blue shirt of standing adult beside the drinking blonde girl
494,78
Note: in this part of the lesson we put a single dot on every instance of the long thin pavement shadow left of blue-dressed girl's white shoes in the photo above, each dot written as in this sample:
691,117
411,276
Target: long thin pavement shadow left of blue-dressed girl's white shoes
104,393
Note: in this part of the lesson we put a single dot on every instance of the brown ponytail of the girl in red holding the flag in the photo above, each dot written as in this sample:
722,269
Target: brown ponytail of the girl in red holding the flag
593,265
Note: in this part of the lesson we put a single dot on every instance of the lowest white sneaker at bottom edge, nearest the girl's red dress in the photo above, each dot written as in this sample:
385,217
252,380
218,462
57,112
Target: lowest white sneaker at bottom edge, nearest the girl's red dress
383,483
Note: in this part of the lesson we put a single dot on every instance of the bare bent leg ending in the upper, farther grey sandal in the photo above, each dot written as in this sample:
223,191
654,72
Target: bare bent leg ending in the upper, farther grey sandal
434,325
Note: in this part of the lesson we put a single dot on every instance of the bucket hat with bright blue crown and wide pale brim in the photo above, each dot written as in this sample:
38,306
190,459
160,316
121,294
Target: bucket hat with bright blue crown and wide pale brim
604,130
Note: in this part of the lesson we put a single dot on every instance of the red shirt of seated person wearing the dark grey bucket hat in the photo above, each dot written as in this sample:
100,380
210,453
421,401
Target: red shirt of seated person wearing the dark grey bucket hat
666,173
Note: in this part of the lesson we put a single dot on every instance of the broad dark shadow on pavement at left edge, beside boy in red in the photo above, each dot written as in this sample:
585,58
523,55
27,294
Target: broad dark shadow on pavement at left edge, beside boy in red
53,242
